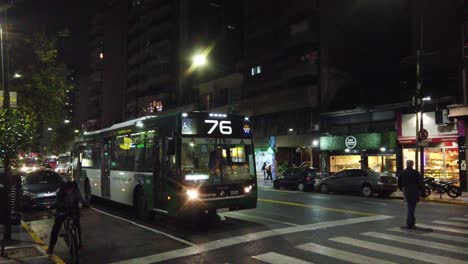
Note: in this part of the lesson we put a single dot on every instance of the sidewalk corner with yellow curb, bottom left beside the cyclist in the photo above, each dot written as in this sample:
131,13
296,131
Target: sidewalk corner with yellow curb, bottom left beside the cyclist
25,247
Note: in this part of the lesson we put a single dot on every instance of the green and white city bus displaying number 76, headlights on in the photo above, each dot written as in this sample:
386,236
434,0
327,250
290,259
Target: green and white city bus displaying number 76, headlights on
176,164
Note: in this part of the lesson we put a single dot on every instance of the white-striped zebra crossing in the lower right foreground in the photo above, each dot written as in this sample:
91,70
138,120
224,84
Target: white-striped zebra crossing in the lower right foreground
447,243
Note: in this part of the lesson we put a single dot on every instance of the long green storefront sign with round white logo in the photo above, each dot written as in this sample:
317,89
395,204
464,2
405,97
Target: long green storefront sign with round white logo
366,141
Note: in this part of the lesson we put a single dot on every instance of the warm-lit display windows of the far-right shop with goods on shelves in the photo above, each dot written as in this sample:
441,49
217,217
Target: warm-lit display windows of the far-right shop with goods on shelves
440,163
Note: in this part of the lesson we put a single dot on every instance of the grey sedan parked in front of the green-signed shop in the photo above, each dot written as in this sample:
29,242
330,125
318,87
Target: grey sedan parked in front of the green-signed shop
366,182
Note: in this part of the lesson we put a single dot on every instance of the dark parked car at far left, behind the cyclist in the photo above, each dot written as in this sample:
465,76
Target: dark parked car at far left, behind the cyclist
39,188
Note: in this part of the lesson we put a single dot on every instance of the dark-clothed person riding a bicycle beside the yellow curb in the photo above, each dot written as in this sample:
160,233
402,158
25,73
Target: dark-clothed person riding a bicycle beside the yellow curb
67,203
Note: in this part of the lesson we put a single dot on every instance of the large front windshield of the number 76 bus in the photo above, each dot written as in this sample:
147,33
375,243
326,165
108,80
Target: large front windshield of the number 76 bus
216,160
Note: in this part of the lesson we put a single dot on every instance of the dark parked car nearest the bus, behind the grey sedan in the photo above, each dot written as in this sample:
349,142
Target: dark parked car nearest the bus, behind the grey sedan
302,178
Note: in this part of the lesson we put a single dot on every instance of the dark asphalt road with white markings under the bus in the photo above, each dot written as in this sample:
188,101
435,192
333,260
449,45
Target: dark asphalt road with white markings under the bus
287,227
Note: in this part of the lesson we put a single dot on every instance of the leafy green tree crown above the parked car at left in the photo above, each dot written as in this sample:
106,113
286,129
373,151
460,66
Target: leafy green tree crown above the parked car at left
44,86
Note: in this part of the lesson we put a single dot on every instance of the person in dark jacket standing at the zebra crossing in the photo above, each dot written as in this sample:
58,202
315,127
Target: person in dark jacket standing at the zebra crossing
410,183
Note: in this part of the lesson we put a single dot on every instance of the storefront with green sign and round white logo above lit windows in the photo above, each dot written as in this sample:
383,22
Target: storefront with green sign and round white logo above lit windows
376,151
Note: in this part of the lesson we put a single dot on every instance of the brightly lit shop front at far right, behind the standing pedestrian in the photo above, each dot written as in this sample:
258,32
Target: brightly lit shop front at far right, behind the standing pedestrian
441,149
